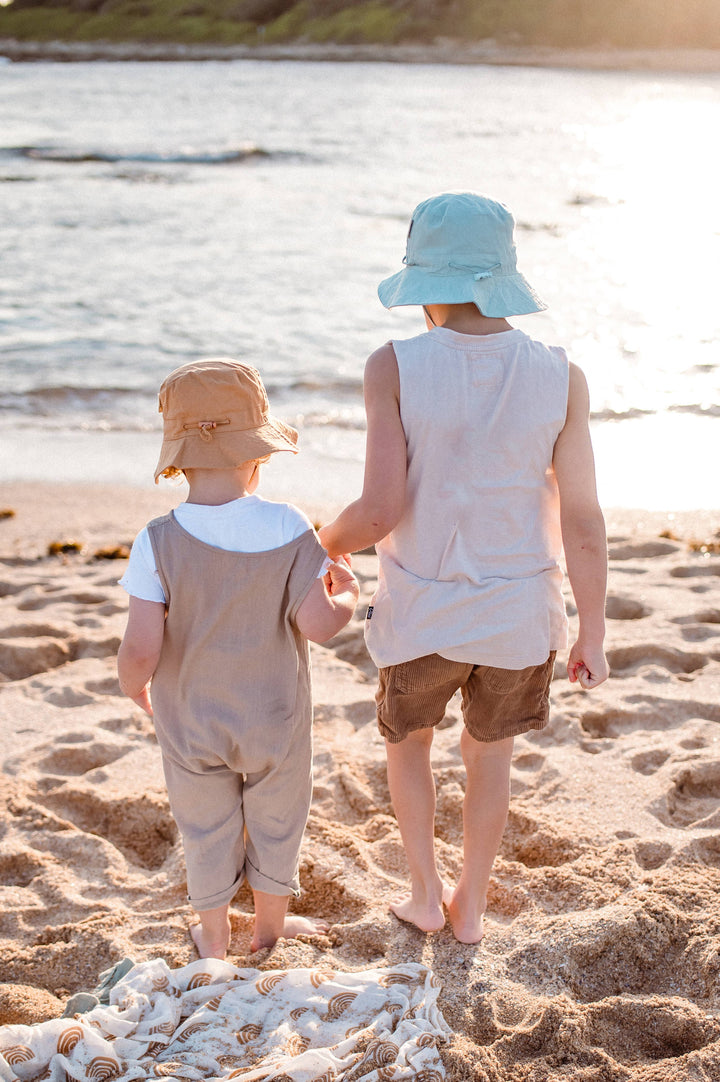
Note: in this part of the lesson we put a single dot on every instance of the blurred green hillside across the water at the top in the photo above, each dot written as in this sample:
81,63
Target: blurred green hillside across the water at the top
630,24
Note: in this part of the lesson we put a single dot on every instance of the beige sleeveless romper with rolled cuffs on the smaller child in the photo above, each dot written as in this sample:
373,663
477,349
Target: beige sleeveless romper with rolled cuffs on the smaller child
233,709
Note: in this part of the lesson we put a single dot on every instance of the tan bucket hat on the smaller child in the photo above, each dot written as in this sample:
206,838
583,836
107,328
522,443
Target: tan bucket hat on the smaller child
216,416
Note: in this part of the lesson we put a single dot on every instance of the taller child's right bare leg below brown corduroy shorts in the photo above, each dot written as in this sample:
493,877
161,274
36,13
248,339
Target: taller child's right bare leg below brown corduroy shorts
485,816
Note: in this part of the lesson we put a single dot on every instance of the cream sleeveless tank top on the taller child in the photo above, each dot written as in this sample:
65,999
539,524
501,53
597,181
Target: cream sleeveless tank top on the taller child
472,572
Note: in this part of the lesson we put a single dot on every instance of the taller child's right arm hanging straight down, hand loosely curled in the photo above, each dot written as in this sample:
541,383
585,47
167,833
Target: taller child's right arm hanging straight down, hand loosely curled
584,535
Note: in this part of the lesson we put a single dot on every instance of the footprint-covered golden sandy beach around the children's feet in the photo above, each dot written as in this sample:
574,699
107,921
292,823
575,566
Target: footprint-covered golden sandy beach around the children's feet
601,961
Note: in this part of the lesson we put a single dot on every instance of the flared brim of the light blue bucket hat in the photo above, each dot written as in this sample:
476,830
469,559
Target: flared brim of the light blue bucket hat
499,296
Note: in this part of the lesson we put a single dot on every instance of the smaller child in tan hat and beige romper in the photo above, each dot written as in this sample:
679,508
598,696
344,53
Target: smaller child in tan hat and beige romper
225,593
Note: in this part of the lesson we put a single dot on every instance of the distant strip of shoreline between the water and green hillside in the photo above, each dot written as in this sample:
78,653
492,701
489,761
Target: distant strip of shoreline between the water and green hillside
443,51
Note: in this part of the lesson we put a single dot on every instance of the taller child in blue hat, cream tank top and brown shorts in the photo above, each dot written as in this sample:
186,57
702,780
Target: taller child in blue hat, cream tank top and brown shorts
479,468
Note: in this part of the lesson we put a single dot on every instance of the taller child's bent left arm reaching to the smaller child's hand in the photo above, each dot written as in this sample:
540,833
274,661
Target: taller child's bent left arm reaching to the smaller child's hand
381,507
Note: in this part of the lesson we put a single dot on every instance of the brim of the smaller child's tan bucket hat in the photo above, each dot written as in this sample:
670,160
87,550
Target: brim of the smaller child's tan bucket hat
227,448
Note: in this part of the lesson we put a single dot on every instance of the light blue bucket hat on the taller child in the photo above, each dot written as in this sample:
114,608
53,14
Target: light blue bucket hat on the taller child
461,249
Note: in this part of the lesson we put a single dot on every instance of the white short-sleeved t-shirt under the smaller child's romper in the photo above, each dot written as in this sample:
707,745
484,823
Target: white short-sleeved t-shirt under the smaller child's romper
245,525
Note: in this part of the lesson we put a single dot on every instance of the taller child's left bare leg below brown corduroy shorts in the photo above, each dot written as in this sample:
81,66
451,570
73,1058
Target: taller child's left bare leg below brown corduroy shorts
413,794
